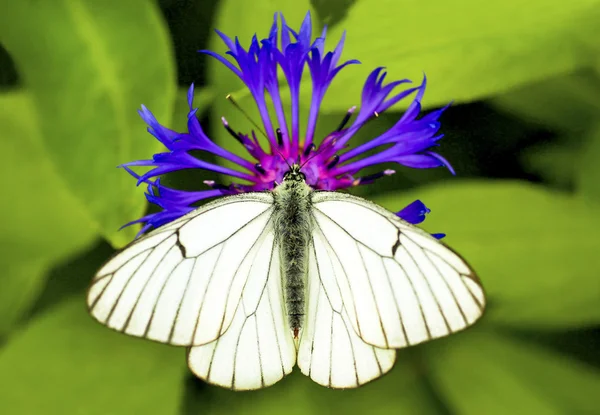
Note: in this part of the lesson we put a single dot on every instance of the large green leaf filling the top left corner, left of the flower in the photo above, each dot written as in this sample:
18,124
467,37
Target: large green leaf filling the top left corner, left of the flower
89,66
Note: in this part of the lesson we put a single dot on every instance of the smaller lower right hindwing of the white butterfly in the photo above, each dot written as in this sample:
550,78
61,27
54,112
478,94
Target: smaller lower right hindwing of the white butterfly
330,352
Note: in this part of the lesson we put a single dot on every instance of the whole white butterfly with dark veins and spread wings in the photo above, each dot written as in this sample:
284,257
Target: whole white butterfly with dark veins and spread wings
258,282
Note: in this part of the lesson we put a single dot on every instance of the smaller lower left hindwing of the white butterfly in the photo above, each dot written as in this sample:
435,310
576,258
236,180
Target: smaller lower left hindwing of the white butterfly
258,349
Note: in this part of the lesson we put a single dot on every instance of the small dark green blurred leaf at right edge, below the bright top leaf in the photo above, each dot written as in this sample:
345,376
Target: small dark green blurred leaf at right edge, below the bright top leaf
568,103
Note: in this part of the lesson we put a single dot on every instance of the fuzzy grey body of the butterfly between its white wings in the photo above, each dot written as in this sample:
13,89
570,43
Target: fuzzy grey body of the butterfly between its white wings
292,221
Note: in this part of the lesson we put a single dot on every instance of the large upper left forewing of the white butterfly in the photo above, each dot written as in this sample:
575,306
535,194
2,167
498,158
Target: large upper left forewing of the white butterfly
181,284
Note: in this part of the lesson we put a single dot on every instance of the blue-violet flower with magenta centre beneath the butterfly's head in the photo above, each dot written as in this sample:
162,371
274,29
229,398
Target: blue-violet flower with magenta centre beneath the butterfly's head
332,165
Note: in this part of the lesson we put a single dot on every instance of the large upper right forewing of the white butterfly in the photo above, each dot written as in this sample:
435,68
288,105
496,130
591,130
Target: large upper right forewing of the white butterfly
397,285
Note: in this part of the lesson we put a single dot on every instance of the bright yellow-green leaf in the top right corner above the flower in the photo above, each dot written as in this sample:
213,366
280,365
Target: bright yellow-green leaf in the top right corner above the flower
468,49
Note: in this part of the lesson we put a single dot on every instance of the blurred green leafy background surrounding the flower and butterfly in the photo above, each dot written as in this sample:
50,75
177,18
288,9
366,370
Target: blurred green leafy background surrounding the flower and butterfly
523,134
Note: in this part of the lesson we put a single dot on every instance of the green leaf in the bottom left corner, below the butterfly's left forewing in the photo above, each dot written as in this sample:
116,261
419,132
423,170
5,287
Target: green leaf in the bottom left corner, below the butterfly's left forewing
66,363
